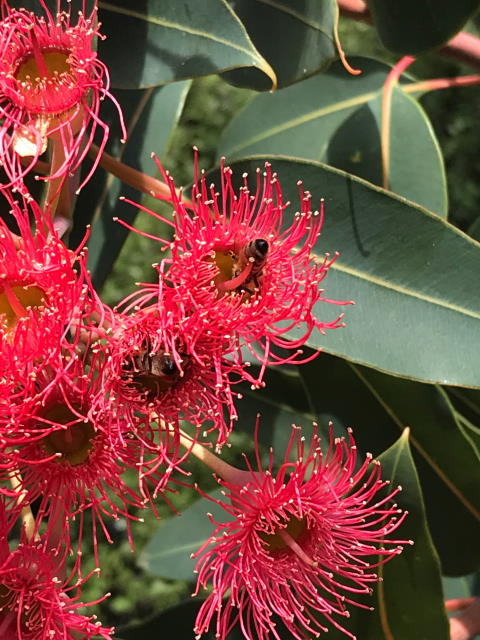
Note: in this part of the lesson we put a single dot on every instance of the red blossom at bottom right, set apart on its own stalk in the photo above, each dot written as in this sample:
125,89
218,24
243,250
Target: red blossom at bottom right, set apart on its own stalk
302,543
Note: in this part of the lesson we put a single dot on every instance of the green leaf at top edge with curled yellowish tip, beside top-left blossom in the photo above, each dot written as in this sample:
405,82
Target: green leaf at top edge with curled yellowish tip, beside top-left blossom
151,42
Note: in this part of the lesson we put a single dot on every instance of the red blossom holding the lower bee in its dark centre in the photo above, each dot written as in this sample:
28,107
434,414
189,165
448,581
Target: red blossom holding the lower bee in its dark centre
166,364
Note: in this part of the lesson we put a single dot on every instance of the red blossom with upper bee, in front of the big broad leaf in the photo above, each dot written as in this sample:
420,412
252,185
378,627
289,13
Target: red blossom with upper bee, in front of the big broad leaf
254,275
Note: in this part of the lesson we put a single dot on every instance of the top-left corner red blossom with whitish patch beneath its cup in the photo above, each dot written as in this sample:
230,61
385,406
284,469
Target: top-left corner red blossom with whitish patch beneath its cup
51,87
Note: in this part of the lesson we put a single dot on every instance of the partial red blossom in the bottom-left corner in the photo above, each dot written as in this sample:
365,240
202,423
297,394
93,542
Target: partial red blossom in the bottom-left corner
35,604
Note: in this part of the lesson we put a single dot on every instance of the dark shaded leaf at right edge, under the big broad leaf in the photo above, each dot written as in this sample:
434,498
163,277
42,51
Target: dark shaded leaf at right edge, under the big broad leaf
447,457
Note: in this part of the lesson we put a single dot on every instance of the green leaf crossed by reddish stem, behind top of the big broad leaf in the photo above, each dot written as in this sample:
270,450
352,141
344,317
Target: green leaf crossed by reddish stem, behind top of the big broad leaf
336,118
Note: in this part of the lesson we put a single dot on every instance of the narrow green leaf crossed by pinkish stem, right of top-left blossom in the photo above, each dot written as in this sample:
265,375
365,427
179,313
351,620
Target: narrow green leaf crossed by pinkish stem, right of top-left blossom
153,114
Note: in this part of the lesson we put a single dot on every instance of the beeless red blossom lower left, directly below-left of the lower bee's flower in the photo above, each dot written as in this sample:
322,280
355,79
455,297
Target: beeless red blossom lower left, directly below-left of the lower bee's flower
77,461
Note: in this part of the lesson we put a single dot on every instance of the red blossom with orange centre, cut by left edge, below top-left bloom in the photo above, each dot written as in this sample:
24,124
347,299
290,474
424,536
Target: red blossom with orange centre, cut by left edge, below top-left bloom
45,299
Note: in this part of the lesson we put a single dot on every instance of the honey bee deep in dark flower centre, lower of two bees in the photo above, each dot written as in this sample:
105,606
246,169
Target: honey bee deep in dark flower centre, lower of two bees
152,372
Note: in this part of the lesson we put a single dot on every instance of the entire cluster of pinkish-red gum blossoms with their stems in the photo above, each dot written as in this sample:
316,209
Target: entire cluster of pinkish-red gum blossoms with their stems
89,392
